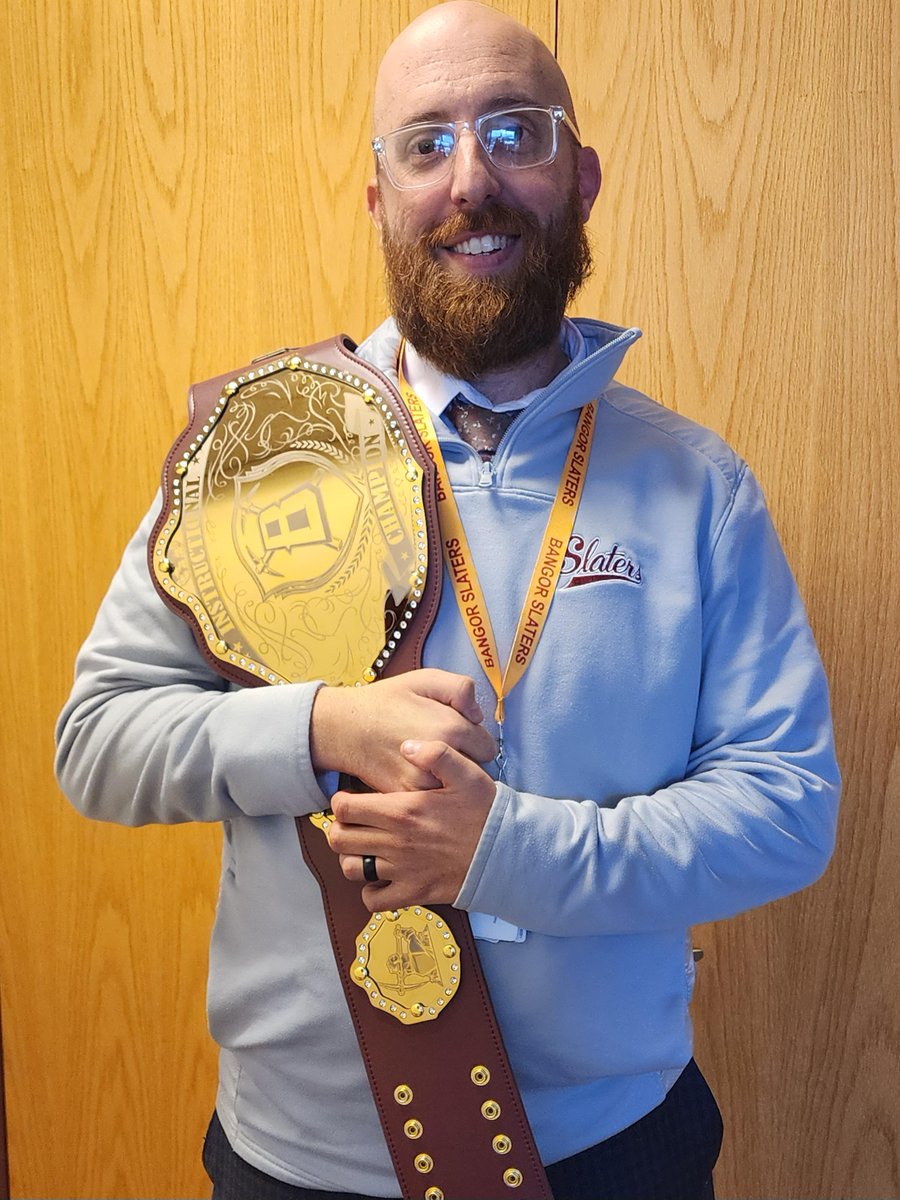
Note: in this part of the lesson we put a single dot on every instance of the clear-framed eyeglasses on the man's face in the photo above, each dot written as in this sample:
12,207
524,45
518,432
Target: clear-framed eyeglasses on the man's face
421,155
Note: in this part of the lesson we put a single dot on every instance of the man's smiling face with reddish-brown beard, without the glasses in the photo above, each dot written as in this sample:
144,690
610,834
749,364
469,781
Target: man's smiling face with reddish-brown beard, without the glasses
472,311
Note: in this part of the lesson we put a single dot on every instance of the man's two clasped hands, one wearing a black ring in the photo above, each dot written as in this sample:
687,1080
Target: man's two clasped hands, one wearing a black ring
417,740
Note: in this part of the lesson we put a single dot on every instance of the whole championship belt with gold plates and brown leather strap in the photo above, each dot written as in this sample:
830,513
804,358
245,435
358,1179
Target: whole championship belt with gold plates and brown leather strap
297,539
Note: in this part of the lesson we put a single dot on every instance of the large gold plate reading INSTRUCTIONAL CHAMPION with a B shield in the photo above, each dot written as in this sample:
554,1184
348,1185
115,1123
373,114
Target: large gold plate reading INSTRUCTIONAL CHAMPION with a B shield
297,539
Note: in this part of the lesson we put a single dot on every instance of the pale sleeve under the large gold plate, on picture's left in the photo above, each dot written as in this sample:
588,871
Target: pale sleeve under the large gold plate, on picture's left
152,734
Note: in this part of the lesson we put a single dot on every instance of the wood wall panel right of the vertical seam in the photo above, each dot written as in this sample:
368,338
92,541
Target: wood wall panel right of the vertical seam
749,224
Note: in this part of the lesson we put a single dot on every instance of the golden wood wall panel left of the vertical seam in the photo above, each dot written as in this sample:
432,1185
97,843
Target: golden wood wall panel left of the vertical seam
185,191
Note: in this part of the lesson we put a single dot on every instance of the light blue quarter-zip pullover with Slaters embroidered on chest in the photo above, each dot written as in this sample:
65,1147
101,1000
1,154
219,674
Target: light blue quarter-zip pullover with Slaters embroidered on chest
670,763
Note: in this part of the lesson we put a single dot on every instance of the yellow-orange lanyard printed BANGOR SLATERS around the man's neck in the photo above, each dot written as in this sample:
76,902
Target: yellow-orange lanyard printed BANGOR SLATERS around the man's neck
460,563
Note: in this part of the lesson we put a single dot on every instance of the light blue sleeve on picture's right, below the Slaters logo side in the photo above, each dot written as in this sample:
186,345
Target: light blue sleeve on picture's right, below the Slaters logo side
753,820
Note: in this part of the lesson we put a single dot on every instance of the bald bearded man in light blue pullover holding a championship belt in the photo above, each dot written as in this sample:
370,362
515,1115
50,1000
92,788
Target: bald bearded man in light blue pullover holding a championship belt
667,743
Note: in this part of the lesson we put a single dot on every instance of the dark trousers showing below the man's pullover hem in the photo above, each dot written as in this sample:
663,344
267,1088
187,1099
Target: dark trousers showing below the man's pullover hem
669,1155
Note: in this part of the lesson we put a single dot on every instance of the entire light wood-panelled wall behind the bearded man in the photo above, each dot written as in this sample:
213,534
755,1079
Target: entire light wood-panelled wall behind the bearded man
185,193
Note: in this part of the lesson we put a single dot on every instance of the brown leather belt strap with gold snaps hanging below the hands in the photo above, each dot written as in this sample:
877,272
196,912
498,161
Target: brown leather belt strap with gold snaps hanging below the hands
451,1109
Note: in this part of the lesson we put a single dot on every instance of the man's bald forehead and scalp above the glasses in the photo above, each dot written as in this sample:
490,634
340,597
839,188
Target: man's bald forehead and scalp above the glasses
461,61
